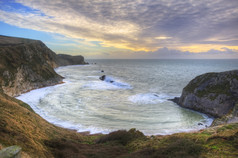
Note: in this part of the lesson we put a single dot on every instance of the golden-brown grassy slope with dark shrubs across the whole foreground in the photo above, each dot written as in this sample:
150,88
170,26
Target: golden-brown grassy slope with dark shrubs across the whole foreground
19,125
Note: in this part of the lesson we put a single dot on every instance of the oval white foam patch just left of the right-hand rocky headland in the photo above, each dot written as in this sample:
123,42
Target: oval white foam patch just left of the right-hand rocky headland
148,98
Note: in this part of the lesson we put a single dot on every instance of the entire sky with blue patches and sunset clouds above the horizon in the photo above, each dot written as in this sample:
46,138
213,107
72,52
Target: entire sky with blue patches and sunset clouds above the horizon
127,29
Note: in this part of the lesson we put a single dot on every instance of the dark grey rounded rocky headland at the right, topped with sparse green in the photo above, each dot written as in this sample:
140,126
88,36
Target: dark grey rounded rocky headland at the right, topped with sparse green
215,94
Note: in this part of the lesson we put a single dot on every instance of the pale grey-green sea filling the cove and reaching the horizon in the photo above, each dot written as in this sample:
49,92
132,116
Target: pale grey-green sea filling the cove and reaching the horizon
134,95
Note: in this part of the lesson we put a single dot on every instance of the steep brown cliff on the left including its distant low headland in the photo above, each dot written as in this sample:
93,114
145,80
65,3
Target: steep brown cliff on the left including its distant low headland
27,64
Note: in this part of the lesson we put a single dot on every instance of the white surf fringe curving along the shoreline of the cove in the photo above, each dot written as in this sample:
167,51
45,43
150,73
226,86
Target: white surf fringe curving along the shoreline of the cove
35,95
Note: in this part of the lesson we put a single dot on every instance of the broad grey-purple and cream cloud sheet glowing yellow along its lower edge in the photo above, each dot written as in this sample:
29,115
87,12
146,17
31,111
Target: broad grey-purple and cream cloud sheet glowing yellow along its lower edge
136,25
